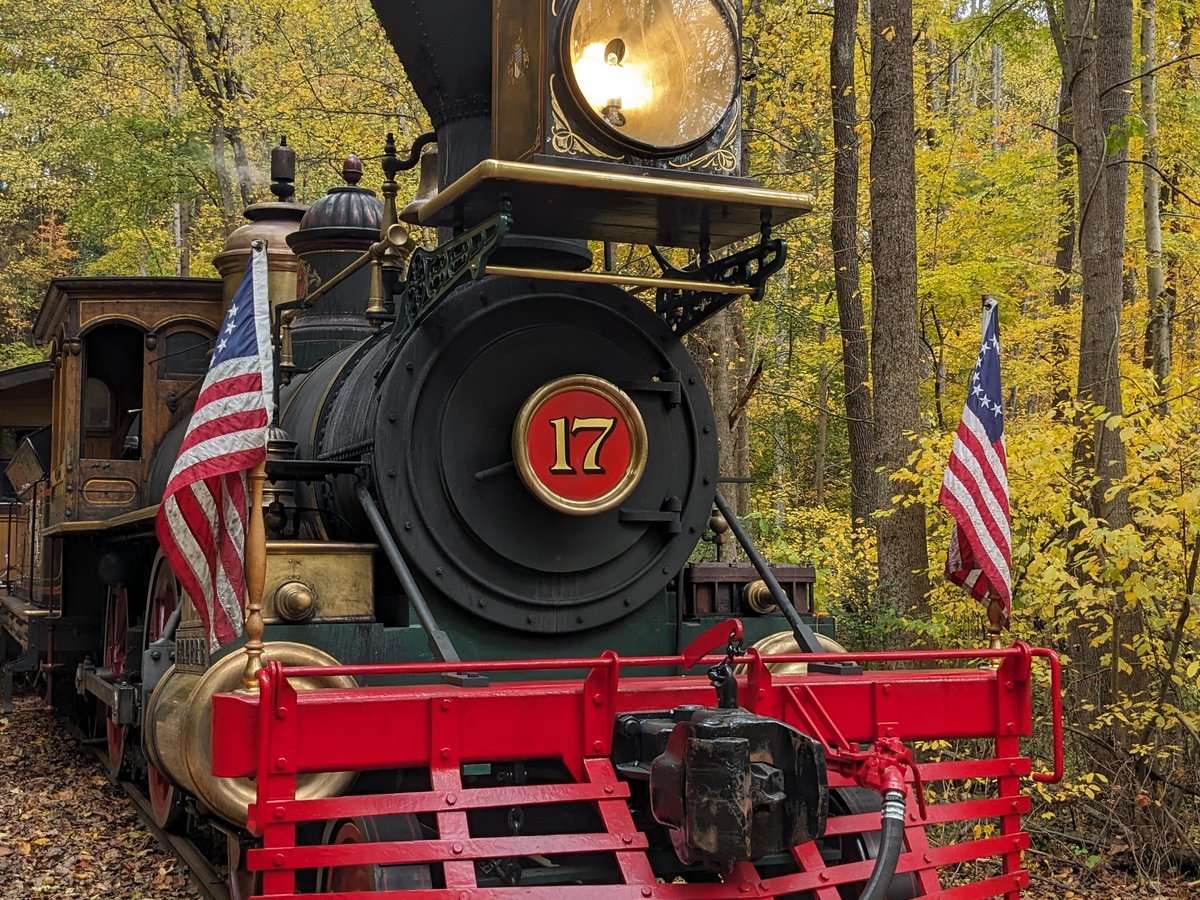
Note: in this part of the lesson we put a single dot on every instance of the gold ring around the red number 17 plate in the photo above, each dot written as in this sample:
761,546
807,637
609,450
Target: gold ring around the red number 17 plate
622,405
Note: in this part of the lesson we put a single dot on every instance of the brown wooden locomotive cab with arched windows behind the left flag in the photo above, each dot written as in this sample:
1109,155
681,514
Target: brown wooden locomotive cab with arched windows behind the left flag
129,357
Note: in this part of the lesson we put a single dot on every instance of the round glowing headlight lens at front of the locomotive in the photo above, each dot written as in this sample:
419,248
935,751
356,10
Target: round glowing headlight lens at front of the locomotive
655,74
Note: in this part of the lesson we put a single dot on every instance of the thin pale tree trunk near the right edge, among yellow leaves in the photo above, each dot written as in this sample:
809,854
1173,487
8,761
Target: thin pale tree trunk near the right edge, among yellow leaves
1157,303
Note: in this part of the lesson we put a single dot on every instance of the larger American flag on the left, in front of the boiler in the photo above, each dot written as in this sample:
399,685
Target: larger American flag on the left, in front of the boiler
202,521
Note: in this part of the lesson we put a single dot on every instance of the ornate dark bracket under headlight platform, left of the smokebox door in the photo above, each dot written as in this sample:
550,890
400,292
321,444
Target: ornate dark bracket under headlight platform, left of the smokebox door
433,274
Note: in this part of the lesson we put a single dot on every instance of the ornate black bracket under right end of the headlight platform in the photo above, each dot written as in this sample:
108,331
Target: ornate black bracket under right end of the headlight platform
683,310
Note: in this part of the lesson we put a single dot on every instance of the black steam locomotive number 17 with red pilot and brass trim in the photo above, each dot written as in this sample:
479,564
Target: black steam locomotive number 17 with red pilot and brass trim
490,466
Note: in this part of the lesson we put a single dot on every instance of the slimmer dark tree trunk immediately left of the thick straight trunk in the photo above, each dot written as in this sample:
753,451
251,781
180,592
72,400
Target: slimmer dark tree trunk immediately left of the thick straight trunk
844,232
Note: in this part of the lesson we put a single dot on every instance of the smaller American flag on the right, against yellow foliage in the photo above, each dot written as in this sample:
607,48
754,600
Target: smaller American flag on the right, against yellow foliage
976,485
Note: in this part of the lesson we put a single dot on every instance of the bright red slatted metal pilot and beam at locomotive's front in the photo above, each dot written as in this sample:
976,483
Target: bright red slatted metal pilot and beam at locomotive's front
280,735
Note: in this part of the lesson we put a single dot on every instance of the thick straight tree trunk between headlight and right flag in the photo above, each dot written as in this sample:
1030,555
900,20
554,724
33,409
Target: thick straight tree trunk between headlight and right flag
896,347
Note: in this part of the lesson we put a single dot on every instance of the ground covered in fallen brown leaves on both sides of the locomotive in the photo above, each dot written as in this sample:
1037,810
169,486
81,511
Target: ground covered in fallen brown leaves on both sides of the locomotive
65,832
